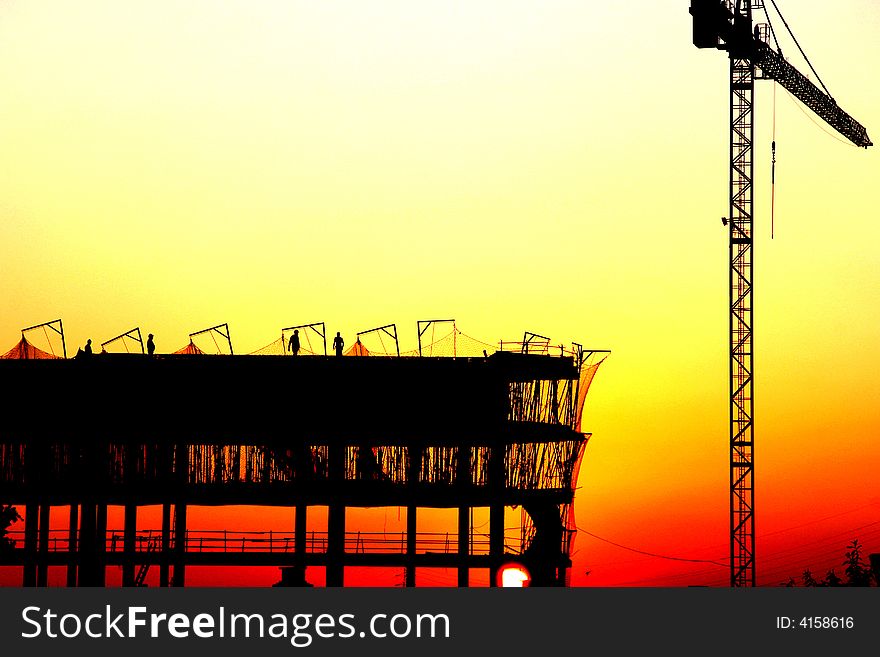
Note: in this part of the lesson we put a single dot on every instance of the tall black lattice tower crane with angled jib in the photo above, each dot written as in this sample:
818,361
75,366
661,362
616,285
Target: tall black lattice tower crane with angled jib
727,25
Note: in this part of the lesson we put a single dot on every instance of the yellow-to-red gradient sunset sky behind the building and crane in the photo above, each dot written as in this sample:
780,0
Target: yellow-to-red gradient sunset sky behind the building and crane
559,167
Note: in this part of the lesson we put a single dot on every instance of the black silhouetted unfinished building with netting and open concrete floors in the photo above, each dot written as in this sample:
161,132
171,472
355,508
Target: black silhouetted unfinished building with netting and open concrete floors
469,431
